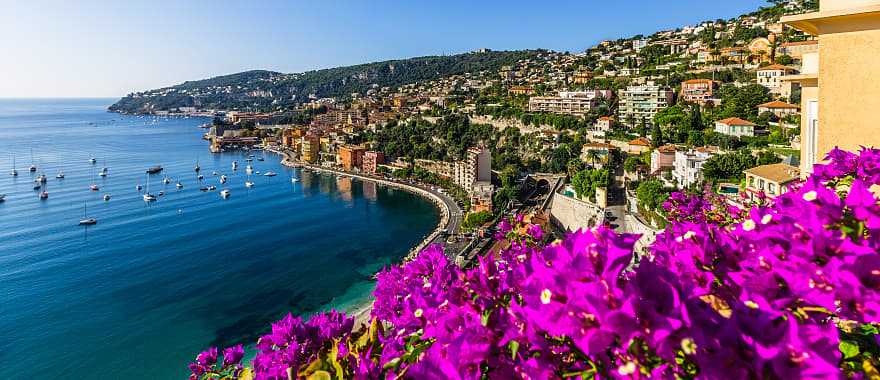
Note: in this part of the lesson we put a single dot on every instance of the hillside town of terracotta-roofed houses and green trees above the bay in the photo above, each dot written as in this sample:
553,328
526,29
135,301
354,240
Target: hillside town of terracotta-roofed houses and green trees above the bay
574,140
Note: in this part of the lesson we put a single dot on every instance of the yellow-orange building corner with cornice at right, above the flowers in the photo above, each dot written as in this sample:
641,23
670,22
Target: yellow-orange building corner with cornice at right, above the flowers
839,92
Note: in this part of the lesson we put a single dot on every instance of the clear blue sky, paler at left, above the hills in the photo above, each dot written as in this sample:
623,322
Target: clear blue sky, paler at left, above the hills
111,48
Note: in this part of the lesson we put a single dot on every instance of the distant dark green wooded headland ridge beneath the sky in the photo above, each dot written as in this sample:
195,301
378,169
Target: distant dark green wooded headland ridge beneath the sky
265,90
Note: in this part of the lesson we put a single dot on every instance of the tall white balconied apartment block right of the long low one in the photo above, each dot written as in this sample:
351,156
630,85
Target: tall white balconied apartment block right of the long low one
642,102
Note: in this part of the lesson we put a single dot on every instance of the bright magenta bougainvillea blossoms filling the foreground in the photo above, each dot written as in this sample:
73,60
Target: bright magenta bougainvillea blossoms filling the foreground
787,288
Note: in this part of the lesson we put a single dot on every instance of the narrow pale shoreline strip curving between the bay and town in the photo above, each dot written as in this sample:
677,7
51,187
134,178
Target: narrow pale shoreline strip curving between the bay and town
361,312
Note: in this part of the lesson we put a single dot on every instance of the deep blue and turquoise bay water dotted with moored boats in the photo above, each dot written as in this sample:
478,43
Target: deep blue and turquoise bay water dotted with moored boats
139,294
